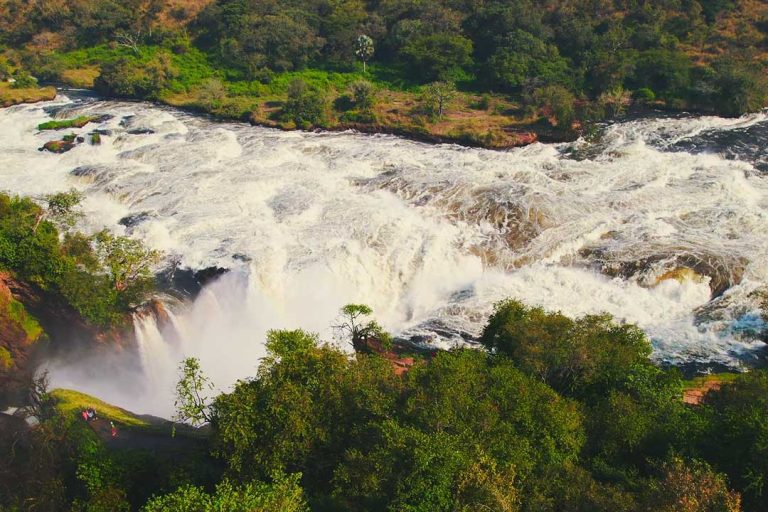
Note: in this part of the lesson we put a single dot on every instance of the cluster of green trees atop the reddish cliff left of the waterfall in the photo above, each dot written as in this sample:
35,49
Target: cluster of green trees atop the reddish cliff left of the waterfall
102,277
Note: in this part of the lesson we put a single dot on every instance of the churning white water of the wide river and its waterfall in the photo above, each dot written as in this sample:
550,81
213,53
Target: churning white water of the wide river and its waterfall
429,236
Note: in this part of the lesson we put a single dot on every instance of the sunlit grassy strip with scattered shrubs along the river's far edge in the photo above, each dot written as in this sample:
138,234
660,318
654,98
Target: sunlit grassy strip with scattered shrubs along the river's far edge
487,120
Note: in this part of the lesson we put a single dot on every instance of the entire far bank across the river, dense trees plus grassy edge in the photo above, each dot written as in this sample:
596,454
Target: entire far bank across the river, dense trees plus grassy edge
402,64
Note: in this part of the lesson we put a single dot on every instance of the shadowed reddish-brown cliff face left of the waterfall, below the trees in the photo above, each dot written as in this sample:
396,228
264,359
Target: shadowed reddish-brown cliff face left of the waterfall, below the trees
35,324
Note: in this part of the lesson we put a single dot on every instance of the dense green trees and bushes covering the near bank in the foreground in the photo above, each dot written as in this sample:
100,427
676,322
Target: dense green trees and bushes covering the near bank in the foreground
559,414
